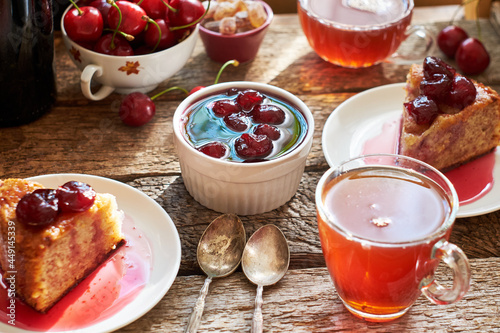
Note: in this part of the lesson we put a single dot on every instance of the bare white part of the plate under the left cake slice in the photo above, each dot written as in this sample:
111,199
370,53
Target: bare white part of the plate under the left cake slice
156,225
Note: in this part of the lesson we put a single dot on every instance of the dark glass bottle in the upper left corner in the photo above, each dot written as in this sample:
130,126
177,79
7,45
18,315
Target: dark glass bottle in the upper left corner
27,80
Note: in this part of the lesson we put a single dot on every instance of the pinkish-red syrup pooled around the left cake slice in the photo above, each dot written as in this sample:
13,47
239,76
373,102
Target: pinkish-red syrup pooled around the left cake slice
98,297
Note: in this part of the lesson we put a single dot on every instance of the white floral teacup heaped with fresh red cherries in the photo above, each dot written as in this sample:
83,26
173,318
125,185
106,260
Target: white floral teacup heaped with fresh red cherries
127,47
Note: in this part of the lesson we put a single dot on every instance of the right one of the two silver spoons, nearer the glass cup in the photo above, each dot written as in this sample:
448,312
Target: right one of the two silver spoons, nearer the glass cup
265,261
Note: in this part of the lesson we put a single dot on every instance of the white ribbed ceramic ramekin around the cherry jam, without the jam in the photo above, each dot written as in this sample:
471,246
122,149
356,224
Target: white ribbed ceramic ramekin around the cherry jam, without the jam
242,188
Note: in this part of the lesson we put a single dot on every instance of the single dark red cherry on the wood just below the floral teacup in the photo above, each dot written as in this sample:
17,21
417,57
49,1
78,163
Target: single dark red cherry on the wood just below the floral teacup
137,109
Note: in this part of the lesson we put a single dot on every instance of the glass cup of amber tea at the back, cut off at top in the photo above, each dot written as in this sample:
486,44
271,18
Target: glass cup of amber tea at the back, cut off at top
359,33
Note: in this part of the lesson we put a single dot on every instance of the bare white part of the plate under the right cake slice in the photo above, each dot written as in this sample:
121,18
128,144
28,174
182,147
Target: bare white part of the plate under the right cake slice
364,116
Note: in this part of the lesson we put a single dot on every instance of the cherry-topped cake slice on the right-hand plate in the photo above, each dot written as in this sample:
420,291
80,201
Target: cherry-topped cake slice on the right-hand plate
448,119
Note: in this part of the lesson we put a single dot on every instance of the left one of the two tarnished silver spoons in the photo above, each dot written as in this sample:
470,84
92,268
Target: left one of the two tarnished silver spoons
219,254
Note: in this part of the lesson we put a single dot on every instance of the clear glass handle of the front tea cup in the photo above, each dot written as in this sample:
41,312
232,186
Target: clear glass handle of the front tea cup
456,259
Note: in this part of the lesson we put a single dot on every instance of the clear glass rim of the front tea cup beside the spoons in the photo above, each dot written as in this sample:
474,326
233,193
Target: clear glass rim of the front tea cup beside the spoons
436,234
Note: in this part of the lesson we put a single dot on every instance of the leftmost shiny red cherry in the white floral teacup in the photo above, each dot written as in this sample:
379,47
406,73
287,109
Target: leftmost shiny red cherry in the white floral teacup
84,24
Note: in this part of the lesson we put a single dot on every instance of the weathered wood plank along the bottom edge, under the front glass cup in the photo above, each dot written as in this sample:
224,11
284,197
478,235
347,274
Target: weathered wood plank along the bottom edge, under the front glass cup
305,301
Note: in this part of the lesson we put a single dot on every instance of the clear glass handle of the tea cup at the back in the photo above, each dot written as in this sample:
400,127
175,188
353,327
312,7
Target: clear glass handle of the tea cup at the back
425,46
